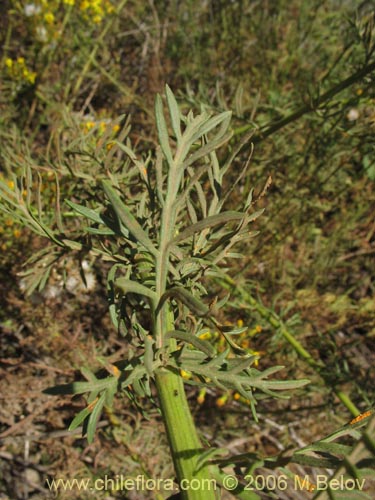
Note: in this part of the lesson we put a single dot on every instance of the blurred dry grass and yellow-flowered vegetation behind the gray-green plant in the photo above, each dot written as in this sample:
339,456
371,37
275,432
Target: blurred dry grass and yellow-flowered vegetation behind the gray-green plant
70,71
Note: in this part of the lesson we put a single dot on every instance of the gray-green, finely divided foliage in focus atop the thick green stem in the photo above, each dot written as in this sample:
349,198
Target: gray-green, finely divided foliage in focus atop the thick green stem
165,226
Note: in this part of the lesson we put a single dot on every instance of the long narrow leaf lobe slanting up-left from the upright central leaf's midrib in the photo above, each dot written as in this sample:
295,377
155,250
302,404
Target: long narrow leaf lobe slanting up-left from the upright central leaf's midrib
128,219
